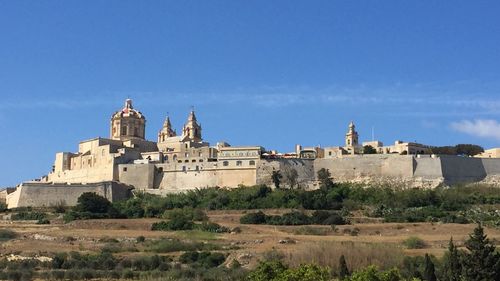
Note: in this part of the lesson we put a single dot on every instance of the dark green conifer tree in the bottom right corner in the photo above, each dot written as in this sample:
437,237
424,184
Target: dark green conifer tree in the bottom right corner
481,262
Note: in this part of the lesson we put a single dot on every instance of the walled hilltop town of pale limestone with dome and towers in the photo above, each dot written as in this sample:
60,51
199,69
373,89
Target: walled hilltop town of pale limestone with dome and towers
178,162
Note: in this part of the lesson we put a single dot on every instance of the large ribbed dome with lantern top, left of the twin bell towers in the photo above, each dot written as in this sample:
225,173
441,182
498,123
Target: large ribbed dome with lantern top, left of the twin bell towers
127,123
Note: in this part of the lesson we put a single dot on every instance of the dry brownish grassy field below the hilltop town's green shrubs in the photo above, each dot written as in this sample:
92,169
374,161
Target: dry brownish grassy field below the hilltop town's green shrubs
363,244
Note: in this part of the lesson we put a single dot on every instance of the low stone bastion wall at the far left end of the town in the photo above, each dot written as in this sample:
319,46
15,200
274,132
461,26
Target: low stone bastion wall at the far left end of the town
46,195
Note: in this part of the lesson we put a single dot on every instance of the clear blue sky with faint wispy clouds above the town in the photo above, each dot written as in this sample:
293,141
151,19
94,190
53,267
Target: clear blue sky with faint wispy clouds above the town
273,73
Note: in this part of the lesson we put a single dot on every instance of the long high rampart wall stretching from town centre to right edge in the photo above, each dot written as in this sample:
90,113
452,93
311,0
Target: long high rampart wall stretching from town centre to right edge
394,170
